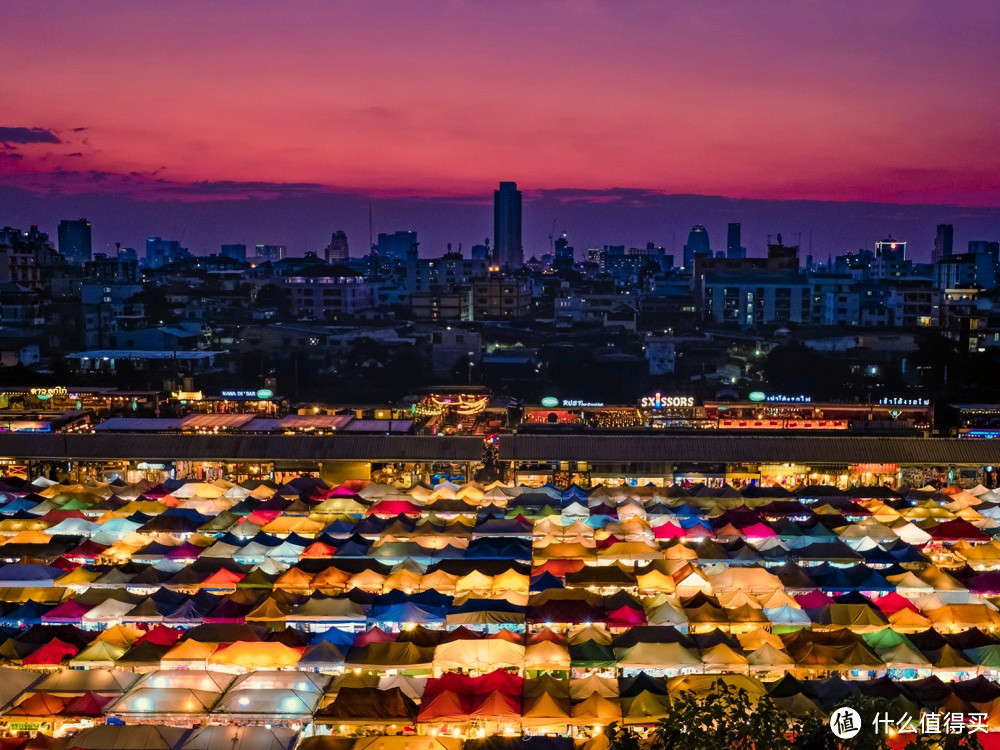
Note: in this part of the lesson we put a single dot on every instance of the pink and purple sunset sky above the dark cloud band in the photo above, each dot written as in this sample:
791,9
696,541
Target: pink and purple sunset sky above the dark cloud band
874,101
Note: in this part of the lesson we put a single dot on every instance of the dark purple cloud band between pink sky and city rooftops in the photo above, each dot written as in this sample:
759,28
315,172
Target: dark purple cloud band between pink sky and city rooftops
302,218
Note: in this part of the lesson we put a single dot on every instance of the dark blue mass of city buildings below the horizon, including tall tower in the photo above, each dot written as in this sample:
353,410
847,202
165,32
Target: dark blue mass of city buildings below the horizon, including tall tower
497,315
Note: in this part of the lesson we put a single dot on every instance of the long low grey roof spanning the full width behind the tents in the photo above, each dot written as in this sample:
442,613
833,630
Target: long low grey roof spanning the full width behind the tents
843,449
